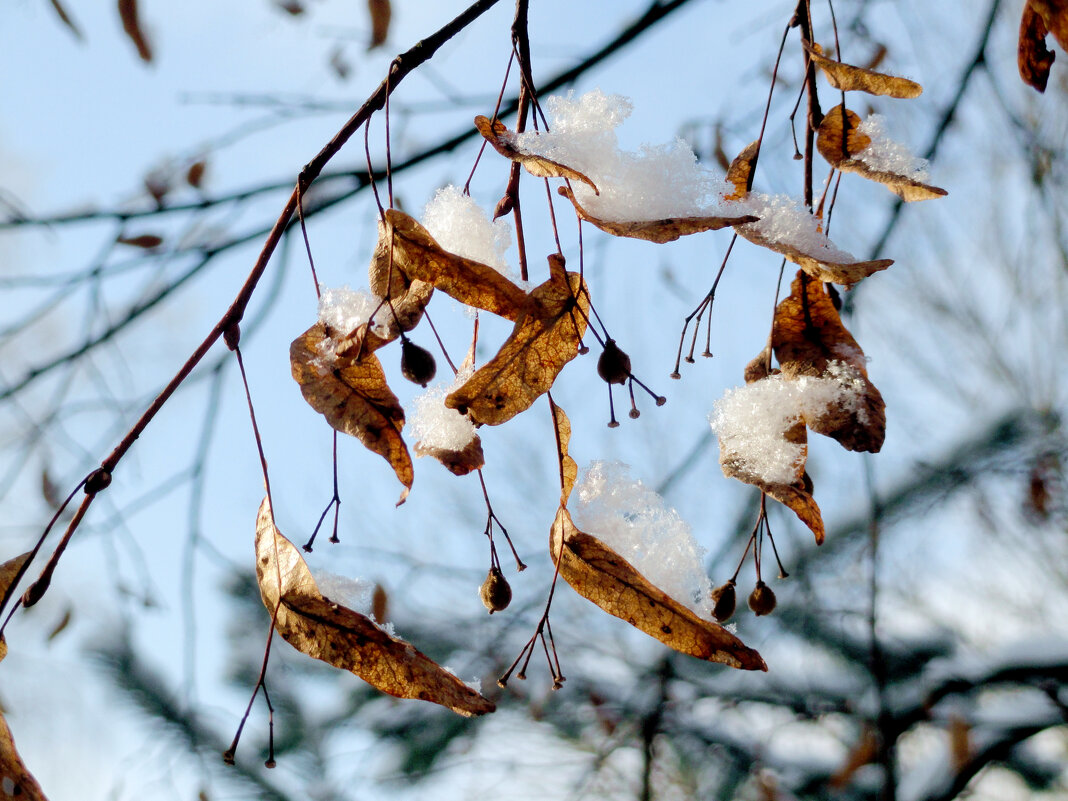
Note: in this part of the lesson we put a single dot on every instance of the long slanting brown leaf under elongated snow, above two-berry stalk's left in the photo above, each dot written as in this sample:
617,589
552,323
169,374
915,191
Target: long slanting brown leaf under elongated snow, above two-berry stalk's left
604,577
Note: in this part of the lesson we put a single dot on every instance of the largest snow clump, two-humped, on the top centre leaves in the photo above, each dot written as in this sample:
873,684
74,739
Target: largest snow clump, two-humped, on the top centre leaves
654,183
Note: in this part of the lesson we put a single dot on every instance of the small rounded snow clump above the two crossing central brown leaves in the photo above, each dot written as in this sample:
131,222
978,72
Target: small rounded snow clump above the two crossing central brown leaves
460,226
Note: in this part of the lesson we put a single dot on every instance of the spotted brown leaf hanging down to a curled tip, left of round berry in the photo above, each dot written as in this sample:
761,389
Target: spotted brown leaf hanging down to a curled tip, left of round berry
354,398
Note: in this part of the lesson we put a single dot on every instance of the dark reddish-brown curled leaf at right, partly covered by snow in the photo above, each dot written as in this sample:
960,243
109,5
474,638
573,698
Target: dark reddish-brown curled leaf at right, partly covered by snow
809,337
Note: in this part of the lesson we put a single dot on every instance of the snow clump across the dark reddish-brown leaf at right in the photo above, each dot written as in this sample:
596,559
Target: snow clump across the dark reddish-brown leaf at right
750,421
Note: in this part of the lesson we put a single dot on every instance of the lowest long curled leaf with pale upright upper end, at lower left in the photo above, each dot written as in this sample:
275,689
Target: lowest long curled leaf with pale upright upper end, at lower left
343,638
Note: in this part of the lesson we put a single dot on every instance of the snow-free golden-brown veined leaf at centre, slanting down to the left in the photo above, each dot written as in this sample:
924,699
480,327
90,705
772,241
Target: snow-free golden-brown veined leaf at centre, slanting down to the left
546,337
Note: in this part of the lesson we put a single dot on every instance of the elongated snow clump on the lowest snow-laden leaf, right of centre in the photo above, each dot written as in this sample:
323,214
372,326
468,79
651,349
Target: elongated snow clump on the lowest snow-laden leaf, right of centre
637,524
